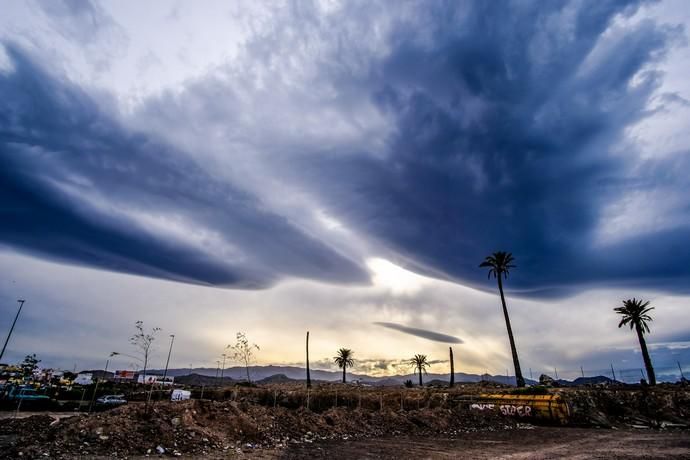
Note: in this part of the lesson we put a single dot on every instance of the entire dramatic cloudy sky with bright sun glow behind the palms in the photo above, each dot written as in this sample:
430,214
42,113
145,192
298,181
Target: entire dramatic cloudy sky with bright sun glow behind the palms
343,167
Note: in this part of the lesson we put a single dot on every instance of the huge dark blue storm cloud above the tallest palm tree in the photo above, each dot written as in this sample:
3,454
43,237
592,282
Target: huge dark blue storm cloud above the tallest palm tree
506,115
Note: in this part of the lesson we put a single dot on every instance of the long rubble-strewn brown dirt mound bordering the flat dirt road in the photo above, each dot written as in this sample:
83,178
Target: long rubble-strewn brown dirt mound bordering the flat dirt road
211,428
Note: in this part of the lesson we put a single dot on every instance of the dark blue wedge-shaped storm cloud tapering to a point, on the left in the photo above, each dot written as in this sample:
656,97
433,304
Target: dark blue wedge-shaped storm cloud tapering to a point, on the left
74,186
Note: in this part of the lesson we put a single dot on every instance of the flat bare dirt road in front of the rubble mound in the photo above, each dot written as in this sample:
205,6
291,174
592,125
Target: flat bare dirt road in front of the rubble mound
537,443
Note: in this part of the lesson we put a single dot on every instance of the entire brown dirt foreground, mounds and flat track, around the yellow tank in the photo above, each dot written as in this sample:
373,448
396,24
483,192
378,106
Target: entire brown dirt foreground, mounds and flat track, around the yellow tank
342,422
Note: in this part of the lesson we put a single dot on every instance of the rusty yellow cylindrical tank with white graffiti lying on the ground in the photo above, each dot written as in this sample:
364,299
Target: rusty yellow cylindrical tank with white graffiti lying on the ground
551,408
